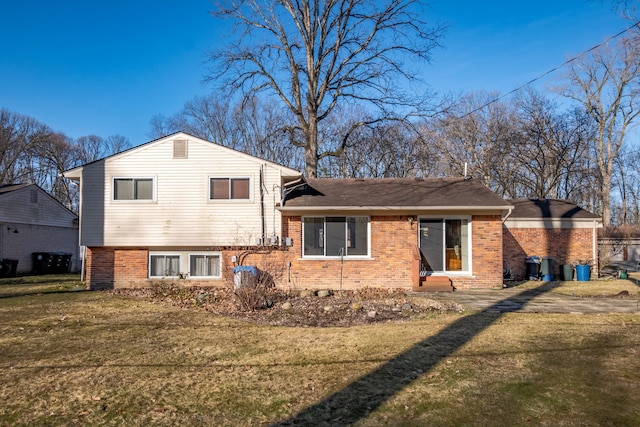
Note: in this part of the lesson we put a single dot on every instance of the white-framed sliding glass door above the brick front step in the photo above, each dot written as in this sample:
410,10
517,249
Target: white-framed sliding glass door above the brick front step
445,244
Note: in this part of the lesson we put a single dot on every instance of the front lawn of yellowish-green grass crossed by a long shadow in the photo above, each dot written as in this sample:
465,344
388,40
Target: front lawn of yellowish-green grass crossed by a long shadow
93,358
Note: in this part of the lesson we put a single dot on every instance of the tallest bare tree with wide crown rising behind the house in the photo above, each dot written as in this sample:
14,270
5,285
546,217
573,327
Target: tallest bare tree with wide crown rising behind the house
315,55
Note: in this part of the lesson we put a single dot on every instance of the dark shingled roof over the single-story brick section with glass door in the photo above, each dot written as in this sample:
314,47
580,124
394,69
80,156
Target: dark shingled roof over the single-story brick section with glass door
393,192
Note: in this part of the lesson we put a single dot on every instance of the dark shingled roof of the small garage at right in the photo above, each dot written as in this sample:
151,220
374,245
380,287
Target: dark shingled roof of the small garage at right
548,208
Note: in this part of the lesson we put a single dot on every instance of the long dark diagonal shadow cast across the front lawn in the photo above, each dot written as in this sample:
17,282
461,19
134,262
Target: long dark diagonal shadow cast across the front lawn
367,393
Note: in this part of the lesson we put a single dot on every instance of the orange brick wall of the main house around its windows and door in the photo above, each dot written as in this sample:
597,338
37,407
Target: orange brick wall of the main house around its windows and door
392,239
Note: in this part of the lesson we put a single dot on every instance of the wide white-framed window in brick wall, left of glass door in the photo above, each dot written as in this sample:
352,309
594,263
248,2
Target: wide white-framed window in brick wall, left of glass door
335,236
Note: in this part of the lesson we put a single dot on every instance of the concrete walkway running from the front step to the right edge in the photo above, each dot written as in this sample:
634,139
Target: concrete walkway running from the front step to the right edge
534,301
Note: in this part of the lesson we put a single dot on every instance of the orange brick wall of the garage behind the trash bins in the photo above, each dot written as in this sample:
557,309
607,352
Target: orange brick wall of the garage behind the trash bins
564,245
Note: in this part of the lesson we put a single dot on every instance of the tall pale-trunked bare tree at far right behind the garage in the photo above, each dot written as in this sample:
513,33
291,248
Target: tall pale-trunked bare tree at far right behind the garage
606,83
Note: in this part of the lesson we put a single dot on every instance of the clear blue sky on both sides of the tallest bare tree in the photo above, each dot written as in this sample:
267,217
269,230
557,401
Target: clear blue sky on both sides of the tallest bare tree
106,67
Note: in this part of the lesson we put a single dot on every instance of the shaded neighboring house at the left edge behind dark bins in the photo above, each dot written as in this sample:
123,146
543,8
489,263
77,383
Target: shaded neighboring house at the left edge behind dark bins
33,221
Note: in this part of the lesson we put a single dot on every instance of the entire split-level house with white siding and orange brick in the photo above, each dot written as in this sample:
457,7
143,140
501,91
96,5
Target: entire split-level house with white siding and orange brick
183,208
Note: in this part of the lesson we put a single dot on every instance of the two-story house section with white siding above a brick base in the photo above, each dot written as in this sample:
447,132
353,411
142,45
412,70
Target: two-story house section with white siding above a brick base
175,207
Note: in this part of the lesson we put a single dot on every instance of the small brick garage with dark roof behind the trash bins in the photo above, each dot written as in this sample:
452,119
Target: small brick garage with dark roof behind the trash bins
550,228
